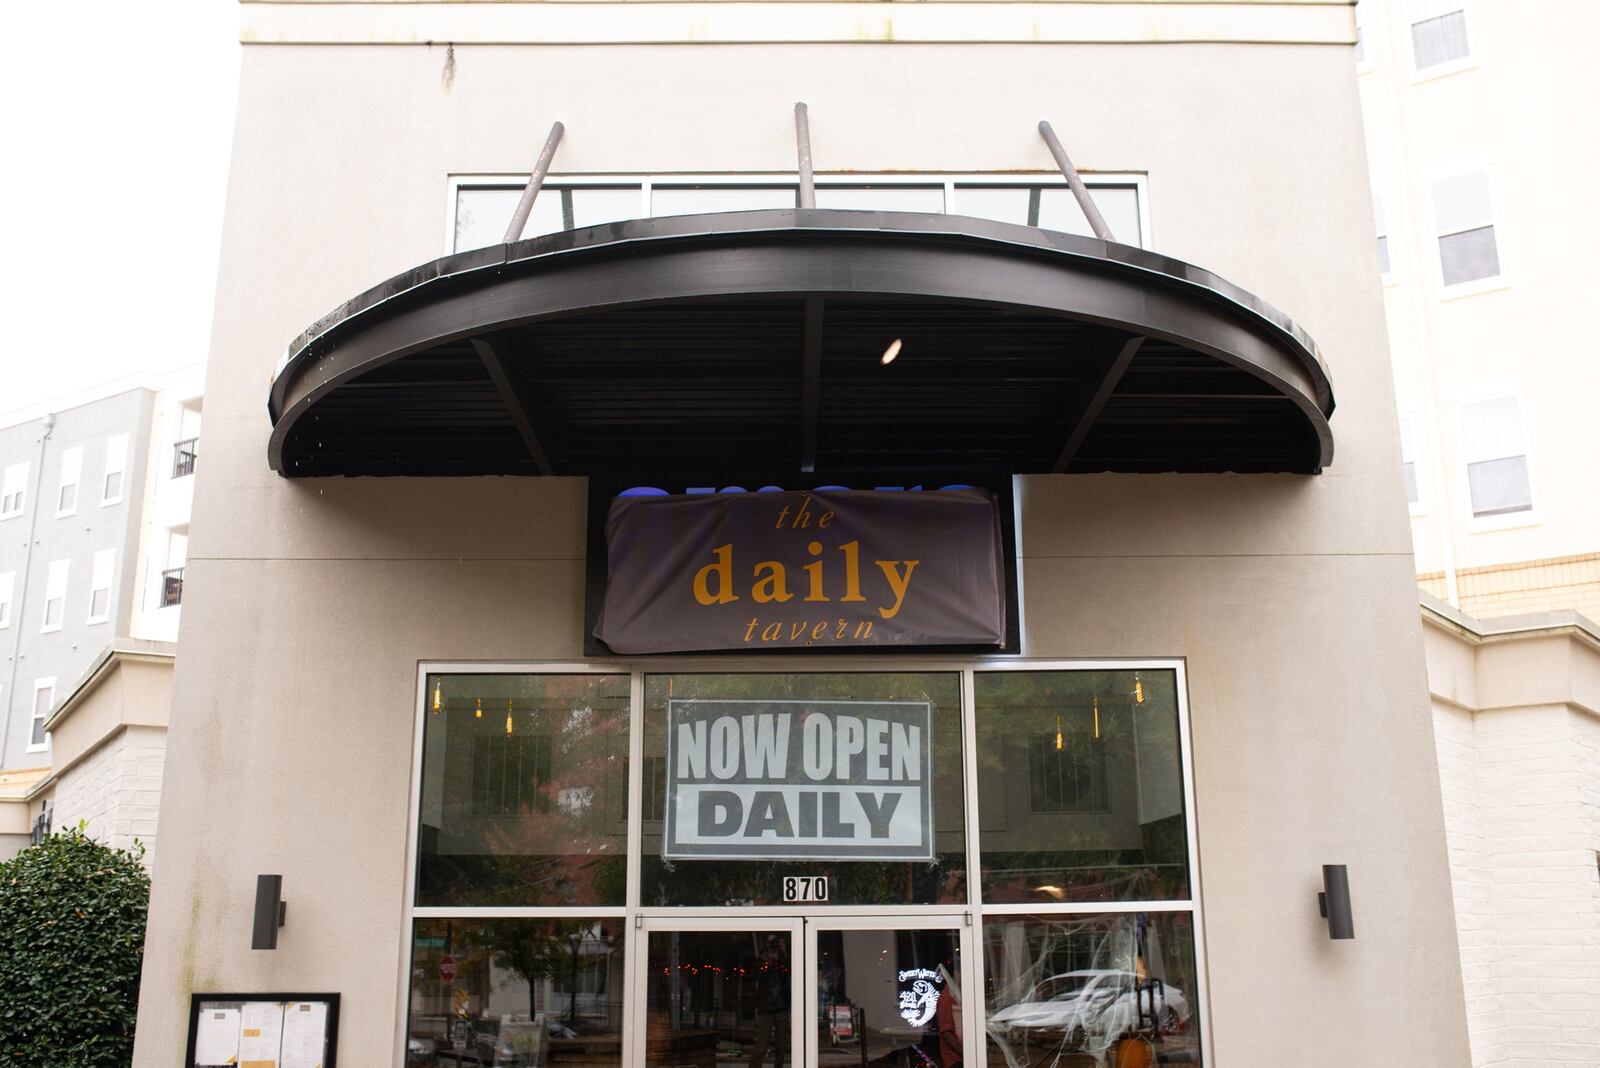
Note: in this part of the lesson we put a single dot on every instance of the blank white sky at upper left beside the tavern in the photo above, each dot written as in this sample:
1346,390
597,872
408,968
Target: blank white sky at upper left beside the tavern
118,122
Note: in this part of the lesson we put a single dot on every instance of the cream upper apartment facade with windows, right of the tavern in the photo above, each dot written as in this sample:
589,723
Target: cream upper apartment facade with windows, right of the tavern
1486,265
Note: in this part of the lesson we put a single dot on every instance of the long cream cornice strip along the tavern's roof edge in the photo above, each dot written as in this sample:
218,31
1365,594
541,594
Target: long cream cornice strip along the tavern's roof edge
796,22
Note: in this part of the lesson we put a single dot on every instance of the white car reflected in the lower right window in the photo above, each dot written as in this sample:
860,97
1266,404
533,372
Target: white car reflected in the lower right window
1090,1008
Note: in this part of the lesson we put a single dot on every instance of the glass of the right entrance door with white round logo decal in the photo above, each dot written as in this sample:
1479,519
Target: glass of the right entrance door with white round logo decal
889,998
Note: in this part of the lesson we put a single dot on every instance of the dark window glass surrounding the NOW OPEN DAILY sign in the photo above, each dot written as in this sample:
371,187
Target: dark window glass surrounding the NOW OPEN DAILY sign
692,882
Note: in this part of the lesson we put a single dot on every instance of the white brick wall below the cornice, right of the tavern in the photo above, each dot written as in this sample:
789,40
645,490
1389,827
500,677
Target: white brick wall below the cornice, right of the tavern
1522,818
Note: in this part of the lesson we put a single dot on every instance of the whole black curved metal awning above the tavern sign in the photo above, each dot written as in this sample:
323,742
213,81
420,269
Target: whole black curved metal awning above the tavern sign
753,341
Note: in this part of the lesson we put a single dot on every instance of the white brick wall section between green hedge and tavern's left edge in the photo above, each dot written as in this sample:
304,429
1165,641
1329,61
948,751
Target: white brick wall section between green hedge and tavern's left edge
118,791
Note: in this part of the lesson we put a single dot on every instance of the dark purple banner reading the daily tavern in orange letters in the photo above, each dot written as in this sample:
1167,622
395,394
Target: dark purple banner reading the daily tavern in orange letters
783,572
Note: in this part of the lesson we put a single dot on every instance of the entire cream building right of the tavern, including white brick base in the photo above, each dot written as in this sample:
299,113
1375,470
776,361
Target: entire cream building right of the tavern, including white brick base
1486,265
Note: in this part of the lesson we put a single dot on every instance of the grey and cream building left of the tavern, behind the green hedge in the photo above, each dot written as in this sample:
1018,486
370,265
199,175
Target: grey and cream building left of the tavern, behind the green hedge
94,538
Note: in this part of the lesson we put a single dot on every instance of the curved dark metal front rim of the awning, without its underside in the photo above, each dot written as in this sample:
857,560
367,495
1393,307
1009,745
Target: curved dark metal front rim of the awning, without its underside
804,253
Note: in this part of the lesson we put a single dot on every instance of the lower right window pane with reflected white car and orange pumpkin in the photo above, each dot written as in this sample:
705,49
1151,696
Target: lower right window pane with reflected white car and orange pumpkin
1090,990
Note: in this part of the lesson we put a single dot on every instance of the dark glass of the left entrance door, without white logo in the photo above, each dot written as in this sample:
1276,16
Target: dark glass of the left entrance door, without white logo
719,998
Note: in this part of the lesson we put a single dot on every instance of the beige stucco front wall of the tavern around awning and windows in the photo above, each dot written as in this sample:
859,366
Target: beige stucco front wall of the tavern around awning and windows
310,604
